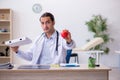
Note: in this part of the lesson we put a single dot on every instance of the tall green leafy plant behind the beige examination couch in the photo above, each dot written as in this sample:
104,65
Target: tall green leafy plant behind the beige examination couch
98,26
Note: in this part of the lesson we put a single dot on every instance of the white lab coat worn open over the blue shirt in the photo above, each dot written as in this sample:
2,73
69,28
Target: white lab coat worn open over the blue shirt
34,52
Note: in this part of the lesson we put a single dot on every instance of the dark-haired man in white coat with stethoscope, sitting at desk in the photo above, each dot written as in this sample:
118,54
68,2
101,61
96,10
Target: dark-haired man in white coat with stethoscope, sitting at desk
48,48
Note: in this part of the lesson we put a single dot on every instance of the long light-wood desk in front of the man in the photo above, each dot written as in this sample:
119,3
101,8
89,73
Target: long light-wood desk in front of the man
60,73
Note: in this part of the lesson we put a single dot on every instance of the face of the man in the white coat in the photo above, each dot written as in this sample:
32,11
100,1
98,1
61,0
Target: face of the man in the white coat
47,24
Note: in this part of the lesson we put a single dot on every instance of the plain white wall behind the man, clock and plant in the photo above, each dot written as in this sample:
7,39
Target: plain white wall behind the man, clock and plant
69,14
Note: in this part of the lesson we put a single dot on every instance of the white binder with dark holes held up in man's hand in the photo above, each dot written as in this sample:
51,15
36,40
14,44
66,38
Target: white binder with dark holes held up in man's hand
18,41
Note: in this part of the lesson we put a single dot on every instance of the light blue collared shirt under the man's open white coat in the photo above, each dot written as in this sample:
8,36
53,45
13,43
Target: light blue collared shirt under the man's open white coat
48,52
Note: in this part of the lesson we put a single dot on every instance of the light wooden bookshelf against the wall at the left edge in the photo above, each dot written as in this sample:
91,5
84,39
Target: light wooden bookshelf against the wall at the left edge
5,34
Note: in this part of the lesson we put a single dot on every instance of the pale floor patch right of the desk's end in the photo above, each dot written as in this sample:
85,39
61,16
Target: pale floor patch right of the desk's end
114,74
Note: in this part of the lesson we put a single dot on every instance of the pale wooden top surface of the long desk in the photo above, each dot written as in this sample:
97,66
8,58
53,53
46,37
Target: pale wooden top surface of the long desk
83,67
